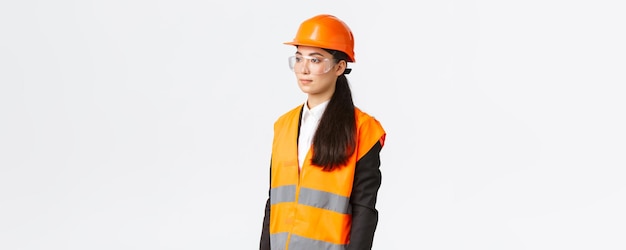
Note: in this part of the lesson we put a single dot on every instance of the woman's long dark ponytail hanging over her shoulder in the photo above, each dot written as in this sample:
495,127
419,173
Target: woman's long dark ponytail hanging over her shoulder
335,139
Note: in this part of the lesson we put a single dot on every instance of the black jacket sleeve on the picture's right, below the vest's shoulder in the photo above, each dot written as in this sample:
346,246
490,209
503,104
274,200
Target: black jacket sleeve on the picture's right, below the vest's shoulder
367,181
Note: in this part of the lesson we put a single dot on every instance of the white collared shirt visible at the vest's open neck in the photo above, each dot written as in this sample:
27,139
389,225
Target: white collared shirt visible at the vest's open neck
308,125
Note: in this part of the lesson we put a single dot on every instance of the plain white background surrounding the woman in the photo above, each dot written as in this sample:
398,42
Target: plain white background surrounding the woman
148,124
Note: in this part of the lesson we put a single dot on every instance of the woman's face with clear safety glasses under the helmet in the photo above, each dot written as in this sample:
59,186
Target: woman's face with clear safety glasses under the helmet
316,71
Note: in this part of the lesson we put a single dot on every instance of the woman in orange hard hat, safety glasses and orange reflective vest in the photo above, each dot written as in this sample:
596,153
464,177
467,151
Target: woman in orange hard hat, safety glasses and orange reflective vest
324,172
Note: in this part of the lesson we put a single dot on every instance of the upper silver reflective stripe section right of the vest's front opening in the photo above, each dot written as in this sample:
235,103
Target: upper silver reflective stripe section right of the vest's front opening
325,200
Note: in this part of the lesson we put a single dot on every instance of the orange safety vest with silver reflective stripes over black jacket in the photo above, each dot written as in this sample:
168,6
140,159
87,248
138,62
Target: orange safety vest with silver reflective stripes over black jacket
310,208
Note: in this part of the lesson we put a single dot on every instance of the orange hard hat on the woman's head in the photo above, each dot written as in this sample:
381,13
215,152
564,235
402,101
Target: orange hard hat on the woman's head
325,31
